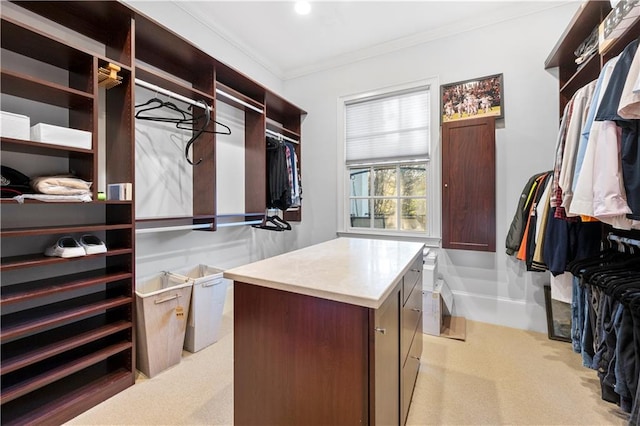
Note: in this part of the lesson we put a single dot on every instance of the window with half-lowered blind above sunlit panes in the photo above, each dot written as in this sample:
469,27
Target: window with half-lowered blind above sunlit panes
387,140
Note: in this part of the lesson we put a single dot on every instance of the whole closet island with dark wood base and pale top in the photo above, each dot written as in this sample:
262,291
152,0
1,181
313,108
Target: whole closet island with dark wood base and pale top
328,334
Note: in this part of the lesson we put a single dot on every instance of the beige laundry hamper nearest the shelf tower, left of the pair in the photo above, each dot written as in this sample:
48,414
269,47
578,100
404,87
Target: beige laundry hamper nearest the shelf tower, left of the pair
162,304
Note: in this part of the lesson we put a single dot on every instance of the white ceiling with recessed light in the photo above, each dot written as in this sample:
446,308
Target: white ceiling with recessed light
339,32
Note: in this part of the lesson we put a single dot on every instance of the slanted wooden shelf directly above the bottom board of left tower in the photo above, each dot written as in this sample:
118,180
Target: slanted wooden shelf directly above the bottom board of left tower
39,381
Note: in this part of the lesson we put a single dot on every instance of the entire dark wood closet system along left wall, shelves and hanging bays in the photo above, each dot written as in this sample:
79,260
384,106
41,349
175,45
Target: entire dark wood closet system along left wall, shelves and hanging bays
67,333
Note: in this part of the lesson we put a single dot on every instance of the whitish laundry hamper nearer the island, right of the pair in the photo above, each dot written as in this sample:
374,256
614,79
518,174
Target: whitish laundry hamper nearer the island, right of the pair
207,303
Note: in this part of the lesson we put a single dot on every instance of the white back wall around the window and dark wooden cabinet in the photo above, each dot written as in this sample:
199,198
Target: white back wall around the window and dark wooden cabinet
489,287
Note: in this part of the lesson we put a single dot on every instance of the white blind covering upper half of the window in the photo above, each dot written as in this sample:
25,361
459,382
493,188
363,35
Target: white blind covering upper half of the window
393,126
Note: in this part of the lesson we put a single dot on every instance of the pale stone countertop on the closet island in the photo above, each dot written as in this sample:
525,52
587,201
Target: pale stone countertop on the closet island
351,270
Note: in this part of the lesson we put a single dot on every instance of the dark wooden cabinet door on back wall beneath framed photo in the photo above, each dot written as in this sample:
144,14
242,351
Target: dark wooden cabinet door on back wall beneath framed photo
468,185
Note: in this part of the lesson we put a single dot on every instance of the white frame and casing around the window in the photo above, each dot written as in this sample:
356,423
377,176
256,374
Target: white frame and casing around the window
433,197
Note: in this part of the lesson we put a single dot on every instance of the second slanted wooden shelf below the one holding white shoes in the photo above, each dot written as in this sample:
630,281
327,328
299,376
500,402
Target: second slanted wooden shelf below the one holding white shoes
25,322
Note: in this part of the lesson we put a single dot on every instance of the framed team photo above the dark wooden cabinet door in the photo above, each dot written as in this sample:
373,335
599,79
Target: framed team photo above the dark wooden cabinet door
478,97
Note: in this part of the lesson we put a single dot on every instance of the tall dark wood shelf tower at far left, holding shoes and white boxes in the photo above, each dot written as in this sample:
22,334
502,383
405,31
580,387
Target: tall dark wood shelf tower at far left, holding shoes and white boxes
66,332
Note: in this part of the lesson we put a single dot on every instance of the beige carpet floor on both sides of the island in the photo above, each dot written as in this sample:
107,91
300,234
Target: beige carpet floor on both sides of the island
498,376
